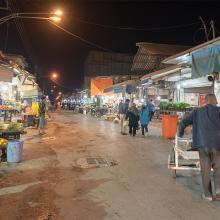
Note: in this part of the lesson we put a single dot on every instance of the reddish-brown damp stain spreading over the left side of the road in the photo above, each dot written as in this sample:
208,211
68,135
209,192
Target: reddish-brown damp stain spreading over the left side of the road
42,188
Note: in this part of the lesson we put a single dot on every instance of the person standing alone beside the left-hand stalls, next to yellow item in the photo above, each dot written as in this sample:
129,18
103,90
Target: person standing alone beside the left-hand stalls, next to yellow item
42,115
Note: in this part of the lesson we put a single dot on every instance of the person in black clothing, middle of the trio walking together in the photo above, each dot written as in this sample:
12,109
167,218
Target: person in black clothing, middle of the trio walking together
133,116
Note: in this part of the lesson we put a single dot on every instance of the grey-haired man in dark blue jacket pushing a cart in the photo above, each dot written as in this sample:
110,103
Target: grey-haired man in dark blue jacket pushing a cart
206,138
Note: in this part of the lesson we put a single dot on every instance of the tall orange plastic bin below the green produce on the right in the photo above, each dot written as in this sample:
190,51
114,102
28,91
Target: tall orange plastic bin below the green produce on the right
169,126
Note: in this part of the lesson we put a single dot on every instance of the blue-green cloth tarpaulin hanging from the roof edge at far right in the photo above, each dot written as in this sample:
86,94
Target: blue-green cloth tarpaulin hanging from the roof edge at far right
205,62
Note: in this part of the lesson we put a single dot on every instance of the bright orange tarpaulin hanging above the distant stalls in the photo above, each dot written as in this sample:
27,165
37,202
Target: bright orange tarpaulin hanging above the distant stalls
98,85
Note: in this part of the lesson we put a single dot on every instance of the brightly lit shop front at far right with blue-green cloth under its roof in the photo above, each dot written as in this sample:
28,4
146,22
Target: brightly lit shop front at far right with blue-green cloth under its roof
203,62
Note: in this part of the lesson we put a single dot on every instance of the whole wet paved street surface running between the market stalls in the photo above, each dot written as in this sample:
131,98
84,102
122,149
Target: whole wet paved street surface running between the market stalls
60,179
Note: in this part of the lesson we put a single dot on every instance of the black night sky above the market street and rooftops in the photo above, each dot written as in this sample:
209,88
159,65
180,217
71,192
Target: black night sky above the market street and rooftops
53,50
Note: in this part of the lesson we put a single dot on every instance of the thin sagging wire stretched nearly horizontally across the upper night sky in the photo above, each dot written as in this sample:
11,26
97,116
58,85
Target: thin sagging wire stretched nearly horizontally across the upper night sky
136,29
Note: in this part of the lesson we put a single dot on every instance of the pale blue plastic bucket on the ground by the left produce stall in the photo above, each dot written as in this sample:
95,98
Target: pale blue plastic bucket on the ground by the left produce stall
14,151
